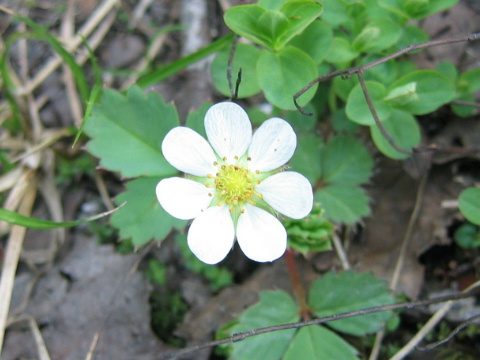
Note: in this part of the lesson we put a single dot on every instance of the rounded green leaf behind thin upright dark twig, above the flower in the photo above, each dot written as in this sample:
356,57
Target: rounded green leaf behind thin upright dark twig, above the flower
245,58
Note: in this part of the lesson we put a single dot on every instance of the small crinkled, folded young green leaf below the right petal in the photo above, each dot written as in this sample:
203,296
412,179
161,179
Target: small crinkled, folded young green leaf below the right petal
313,233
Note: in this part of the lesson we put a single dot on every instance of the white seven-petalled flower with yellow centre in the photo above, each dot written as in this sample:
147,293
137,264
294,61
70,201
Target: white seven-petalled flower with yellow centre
234,184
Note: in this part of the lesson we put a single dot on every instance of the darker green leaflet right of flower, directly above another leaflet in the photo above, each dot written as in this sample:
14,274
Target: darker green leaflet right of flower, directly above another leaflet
345,160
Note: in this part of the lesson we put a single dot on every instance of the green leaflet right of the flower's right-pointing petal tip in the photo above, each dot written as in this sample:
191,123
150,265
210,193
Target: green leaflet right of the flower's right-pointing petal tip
343,203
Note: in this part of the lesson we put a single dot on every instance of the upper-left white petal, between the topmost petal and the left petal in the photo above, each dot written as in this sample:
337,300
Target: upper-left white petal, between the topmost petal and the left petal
189,152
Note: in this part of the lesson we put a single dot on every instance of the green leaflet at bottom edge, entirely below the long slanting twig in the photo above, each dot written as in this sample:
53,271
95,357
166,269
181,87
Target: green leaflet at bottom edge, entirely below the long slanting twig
318,343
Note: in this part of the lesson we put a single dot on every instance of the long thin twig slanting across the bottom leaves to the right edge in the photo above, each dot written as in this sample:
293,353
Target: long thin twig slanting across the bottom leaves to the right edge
244,335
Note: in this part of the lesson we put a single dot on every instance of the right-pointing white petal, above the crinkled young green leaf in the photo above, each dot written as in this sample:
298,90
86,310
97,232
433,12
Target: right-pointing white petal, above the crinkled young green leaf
289,193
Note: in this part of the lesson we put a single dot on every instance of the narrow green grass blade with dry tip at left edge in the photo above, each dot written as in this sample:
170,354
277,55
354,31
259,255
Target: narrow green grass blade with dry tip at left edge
15,218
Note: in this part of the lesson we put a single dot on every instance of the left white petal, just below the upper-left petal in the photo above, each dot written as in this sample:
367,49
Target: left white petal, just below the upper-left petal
183,198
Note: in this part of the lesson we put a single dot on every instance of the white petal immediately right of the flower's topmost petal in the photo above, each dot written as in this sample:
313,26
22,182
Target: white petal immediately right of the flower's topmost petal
273,144
